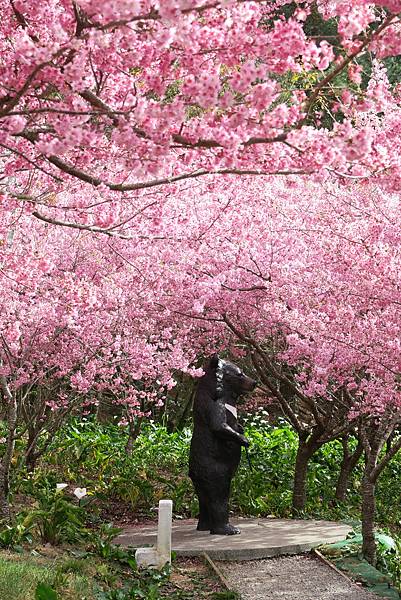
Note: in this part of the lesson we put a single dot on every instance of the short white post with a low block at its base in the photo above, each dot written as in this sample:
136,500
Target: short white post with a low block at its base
161,554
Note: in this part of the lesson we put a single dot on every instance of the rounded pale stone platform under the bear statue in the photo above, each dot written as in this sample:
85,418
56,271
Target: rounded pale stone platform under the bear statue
259,538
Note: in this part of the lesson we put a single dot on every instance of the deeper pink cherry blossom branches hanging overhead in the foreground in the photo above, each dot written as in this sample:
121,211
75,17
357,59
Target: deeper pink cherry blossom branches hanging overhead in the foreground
100,101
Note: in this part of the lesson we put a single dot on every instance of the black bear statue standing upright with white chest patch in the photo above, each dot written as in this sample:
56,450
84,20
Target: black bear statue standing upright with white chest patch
216,442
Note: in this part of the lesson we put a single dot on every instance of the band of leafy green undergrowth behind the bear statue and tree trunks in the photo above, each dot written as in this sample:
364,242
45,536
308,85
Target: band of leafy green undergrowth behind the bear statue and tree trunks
90,455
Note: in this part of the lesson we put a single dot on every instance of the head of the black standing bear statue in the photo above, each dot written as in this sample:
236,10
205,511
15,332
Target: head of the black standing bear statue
231,381
